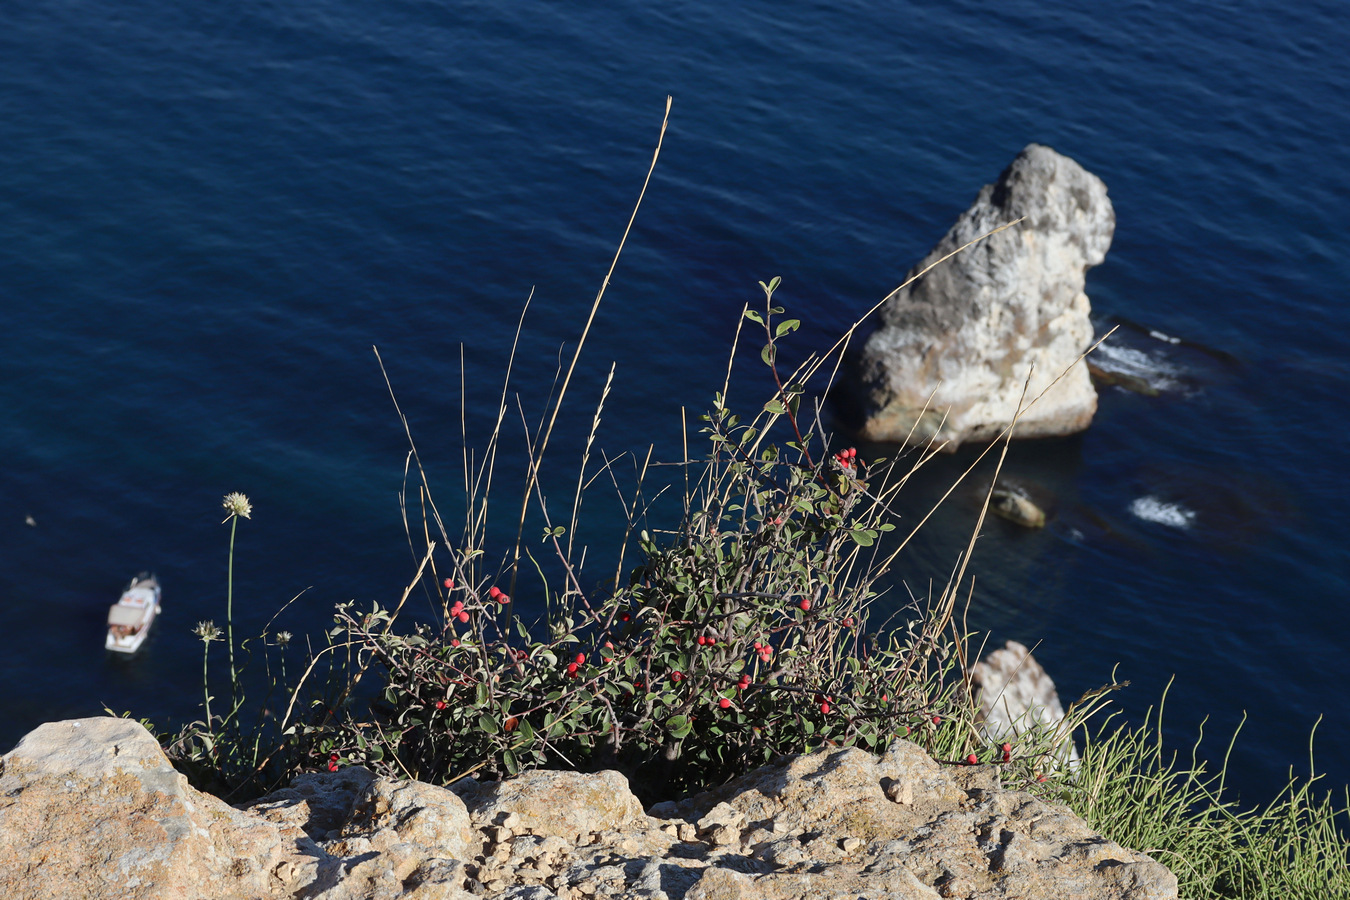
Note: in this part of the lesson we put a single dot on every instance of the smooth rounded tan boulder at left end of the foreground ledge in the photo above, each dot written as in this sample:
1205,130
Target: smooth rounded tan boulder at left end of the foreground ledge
94,809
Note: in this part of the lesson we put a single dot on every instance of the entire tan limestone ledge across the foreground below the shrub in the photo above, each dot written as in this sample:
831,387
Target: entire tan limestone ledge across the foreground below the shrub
91,809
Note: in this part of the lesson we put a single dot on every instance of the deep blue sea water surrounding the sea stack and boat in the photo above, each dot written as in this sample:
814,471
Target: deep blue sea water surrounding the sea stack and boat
210,215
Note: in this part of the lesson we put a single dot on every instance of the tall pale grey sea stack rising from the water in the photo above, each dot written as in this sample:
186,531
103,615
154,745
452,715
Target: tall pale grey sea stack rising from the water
954,350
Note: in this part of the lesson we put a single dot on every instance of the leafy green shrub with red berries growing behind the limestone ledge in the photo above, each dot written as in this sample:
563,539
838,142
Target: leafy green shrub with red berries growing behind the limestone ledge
740,636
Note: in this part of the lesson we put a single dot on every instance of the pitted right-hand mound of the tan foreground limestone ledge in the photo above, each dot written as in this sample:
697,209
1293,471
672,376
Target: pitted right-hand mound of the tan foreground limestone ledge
843,824
